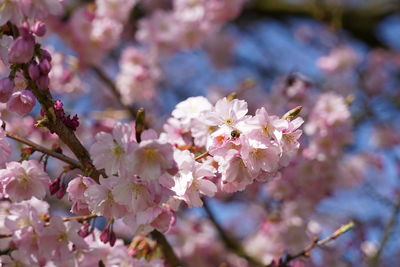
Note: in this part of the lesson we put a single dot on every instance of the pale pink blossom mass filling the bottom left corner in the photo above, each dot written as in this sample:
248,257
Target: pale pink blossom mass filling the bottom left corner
37,239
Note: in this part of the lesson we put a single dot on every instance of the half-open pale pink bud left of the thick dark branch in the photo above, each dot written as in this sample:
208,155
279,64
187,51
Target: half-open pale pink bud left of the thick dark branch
21,102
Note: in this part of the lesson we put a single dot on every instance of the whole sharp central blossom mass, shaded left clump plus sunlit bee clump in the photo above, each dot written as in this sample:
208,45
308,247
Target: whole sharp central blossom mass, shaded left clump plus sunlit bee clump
147,179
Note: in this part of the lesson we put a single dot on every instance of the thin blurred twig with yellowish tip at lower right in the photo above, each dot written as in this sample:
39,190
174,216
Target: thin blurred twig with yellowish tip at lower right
318,243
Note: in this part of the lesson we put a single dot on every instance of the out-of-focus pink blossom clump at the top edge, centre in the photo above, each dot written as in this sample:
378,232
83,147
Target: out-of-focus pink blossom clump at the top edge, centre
187,25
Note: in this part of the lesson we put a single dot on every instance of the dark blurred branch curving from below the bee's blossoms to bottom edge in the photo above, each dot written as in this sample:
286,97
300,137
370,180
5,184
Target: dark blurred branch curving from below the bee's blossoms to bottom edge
229,242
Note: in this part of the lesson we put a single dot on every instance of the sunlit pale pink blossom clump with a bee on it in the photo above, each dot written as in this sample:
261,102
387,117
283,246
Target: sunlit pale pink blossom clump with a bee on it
246,148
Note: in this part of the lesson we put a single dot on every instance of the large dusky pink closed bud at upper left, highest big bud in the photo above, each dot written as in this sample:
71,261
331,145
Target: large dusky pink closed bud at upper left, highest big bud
22,49
